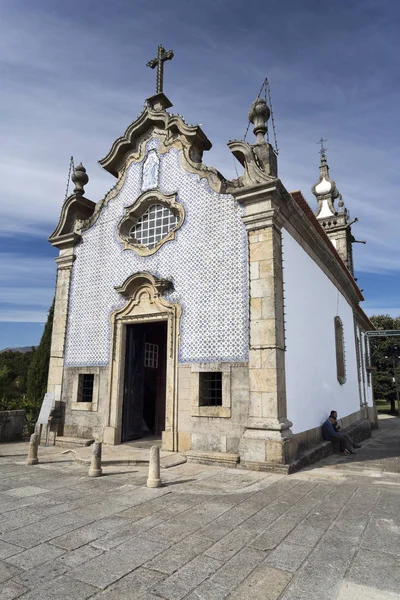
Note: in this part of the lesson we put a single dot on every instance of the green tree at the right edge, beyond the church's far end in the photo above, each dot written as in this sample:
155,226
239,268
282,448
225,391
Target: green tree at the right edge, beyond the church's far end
385,353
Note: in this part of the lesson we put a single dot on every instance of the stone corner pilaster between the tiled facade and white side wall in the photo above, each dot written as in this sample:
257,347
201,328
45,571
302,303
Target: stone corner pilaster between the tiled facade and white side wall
268,441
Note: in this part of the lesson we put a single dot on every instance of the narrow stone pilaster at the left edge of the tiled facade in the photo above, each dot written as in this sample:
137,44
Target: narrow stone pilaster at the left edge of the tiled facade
64,271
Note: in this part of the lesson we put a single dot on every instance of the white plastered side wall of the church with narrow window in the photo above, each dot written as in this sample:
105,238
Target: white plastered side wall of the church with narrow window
311,303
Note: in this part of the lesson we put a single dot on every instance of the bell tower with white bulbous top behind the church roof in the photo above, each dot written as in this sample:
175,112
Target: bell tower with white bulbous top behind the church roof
335,222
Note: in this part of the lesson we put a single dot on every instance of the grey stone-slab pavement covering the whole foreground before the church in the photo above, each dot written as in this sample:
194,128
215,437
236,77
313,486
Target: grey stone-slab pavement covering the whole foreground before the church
329,532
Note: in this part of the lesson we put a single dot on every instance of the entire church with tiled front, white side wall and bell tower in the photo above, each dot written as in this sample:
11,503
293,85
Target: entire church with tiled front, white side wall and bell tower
222,316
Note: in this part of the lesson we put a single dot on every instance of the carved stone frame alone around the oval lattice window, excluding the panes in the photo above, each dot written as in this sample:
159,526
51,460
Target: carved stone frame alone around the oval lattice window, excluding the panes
138,208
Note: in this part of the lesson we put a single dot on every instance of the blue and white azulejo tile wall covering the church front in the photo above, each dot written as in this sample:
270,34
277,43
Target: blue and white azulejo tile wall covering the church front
207,263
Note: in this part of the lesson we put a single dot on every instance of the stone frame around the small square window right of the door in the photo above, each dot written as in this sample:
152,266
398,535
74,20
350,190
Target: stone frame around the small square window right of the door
223,411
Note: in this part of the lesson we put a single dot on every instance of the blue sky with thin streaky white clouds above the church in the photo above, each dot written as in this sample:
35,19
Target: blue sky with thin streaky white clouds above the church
74,76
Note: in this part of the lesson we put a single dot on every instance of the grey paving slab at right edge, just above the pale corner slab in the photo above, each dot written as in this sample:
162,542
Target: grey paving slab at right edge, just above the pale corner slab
376,570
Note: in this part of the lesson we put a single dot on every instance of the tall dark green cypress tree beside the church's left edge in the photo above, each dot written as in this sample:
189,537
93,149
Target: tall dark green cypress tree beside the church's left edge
39,366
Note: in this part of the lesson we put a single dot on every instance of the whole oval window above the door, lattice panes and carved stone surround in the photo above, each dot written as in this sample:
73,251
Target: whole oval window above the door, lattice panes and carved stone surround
151,221
